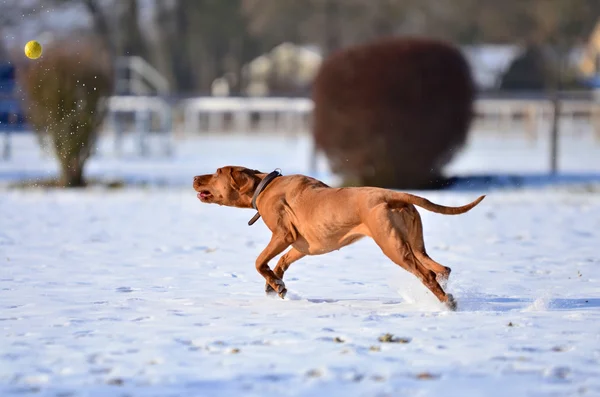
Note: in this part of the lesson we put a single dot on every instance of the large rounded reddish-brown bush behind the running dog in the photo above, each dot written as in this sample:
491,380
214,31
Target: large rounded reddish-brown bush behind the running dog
392,113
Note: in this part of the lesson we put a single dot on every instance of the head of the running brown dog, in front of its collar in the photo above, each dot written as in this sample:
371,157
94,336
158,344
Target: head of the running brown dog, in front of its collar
232,186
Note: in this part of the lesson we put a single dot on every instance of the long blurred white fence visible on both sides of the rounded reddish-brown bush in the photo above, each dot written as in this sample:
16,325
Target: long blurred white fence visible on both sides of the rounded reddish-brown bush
292,116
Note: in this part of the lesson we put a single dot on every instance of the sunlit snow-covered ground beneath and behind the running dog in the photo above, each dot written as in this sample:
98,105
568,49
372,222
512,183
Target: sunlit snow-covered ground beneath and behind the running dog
146,292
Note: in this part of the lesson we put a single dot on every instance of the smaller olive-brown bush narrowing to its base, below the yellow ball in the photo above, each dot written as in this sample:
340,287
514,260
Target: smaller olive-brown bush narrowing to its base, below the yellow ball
63,92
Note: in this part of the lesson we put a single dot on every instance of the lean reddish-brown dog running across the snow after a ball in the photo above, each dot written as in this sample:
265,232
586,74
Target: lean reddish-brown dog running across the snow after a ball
315,219
